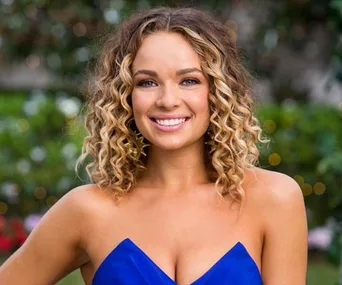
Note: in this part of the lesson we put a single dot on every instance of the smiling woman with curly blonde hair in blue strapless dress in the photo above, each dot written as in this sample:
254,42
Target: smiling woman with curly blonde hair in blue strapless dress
176,198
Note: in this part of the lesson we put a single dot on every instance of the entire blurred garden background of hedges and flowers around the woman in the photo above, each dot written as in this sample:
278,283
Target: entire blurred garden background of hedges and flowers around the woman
293,48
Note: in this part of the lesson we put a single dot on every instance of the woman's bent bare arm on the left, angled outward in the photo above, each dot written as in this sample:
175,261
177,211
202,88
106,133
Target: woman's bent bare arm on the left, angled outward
53,248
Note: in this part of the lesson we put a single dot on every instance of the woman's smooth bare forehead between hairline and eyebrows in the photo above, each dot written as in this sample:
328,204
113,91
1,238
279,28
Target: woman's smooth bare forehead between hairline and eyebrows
167,50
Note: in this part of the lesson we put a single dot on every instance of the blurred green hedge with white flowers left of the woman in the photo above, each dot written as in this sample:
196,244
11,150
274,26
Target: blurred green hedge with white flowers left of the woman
40,141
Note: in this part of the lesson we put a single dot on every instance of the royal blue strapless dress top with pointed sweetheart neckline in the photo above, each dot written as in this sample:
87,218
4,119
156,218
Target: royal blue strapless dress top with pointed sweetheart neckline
127,264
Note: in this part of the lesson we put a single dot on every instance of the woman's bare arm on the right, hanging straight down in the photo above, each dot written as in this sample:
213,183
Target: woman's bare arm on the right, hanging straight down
284,260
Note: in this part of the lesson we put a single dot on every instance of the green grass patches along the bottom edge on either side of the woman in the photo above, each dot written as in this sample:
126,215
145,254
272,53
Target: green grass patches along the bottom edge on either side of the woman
319,273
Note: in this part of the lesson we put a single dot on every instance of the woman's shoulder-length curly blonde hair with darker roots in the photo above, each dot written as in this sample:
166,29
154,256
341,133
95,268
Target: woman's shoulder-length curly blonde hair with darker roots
116,152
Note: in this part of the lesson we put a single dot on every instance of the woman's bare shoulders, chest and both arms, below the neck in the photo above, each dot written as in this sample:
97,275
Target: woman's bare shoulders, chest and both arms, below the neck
184,233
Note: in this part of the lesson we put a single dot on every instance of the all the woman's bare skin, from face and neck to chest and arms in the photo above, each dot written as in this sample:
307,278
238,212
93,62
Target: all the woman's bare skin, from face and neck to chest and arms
173,214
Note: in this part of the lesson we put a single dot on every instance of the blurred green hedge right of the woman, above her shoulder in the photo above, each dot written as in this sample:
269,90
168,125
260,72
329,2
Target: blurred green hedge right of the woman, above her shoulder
306,144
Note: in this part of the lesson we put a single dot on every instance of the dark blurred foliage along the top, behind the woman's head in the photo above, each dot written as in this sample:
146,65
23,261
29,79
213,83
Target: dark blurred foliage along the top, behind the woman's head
62,36
